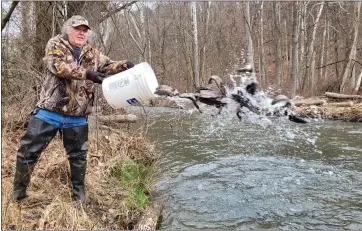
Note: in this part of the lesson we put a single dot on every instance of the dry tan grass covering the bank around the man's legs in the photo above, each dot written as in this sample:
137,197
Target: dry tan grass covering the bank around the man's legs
49,204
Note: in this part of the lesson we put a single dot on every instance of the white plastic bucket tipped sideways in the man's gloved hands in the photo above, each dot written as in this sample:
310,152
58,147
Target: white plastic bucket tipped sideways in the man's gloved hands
130,87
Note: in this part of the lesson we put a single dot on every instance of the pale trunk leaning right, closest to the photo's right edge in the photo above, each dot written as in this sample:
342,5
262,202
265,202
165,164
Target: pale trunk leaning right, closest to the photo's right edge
352,54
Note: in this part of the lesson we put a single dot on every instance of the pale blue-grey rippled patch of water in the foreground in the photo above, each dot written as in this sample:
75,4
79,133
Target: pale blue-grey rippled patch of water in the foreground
261,192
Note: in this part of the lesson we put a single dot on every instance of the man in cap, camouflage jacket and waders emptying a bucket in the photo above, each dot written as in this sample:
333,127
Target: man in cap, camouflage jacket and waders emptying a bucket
72,67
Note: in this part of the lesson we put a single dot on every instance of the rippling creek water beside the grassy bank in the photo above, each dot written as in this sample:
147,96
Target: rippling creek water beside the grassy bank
259,173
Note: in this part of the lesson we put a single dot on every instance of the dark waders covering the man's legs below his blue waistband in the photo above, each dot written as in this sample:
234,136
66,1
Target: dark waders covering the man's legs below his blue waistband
37,137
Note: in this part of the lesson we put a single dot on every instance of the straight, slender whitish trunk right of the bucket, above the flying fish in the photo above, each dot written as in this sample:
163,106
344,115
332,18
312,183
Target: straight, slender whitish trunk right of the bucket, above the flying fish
195,46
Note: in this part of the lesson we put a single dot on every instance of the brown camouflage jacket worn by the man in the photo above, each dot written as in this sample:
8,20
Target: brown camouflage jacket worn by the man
65,88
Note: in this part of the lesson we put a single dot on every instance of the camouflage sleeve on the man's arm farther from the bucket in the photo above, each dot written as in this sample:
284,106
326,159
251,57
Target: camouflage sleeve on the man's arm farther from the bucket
55,61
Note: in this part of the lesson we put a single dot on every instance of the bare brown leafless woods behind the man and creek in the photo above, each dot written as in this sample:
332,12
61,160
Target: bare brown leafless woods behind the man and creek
302,48
